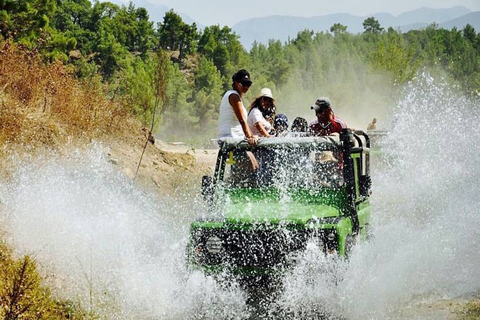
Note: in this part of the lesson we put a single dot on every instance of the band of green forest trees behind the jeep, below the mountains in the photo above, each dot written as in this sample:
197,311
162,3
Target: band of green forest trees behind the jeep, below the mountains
121,44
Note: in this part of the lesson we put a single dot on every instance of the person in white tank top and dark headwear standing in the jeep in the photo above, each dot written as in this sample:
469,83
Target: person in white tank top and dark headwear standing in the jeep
232,119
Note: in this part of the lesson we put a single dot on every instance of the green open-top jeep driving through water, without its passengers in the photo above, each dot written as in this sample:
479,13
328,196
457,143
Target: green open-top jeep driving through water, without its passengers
266,202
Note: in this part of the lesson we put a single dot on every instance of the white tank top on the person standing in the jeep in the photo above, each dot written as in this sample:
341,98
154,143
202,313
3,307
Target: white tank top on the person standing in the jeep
228,124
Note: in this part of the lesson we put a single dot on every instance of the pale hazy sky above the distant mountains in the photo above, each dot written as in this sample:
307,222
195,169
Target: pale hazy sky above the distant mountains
229,12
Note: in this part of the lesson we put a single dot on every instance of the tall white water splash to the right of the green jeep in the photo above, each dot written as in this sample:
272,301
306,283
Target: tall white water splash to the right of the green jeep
426,213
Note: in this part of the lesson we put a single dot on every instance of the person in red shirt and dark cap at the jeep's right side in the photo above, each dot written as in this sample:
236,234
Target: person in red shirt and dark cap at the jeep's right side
326,122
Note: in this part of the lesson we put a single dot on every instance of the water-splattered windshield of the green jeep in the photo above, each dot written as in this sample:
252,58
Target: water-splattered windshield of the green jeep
284,163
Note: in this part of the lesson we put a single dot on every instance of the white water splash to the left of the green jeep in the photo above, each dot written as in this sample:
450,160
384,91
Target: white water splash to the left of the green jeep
109,244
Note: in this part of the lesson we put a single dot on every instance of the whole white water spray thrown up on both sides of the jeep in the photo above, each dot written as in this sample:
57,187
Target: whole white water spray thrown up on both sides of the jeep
121,250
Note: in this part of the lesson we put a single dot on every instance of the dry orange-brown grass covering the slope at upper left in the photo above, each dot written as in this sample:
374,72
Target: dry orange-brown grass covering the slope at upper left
44,104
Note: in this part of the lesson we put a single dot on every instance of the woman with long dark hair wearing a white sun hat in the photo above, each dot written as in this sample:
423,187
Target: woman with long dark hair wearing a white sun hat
261,113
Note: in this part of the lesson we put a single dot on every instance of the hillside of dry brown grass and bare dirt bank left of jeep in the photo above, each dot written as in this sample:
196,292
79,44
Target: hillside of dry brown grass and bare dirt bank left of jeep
46,109
